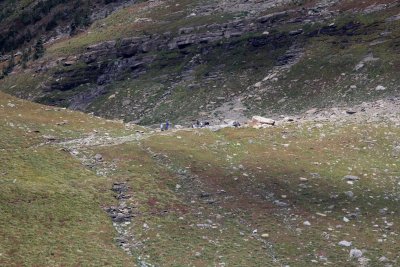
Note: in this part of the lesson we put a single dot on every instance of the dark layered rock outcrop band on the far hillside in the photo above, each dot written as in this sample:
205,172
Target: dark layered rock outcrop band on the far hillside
104,62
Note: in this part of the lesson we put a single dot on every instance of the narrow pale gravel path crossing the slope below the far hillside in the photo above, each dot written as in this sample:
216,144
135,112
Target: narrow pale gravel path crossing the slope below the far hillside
378,111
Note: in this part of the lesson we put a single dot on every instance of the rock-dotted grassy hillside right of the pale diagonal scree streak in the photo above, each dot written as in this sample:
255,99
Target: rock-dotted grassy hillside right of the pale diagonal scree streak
326,73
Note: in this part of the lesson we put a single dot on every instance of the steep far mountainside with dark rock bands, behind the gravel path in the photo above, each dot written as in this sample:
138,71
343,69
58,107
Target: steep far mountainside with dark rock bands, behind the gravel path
215,60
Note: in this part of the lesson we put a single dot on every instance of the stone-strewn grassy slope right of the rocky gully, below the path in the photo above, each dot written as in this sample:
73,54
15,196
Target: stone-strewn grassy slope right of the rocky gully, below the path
209,162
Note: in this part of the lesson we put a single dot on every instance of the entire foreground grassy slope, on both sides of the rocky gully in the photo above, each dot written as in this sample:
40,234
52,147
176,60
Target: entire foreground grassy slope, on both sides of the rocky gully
51,205
